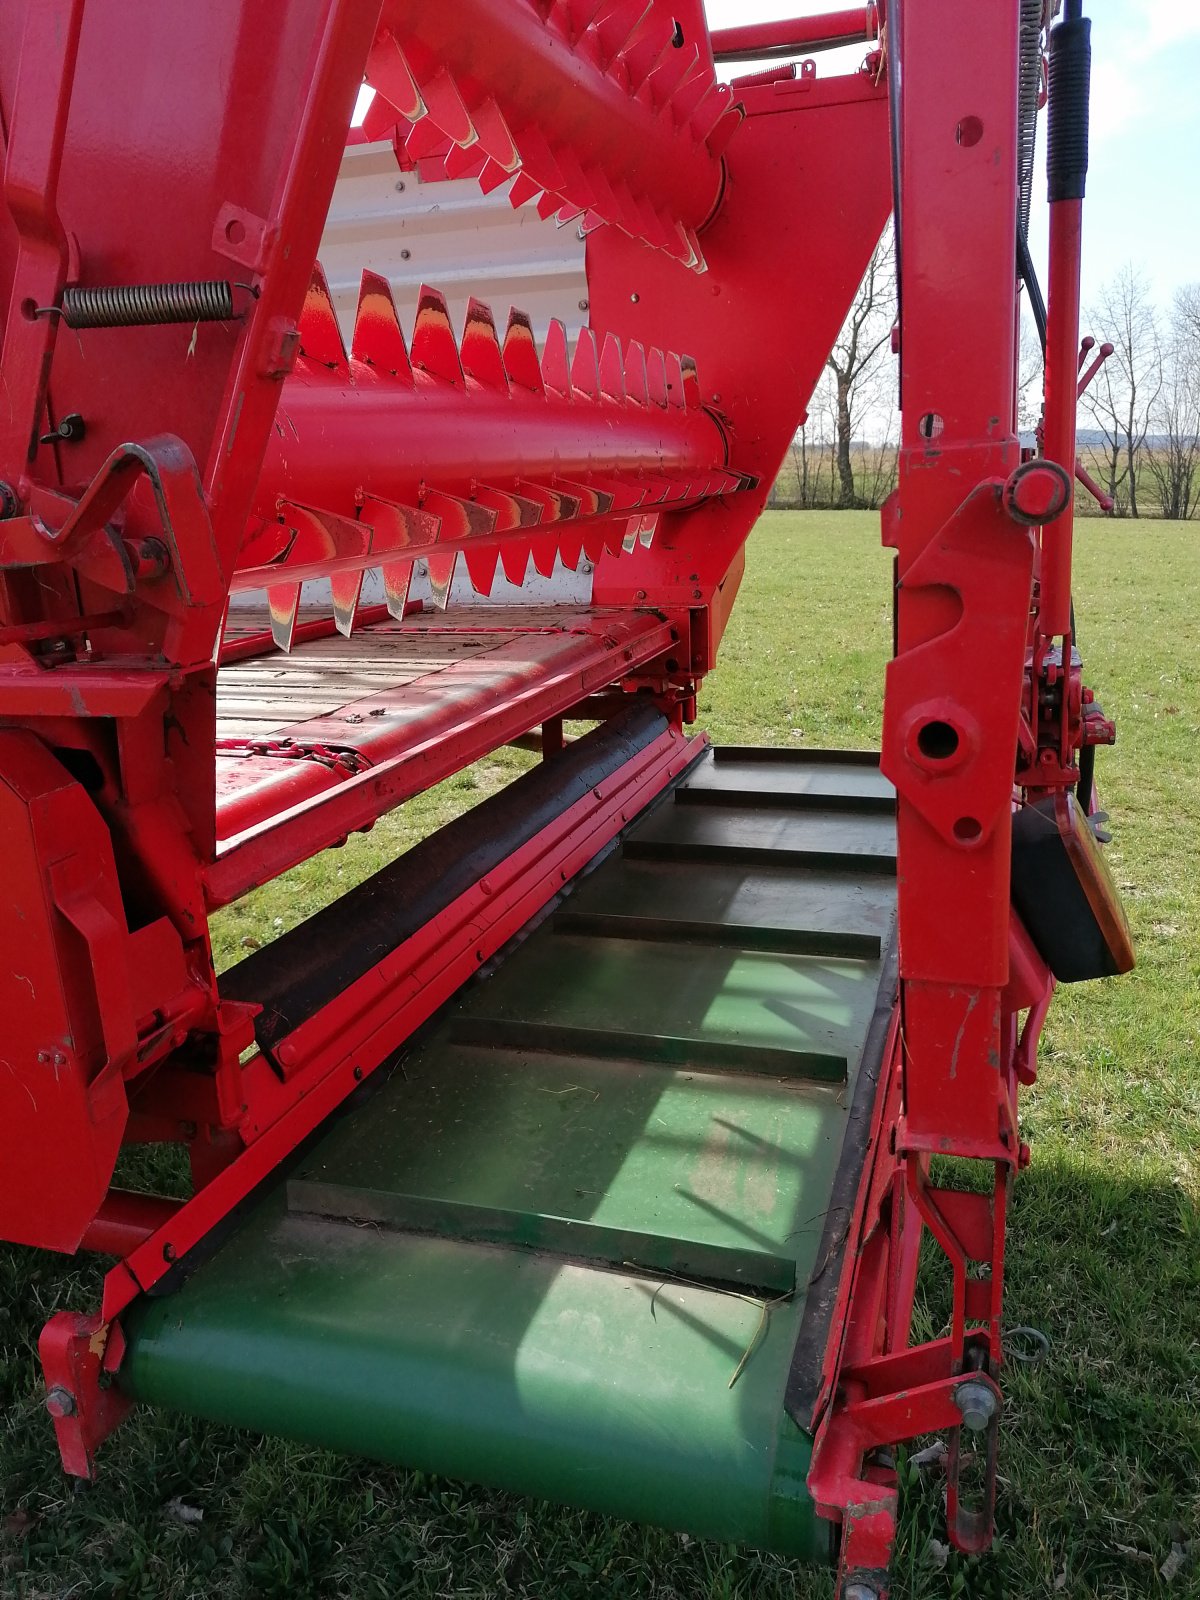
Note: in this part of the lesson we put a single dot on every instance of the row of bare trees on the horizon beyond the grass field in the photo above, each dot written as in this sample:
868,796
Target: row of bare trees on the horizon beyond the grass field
1140,418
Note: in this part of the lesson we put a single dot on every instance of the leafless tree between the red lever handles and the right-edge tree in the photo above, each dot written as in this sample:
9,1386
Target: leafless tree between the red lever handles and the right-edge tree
1126,393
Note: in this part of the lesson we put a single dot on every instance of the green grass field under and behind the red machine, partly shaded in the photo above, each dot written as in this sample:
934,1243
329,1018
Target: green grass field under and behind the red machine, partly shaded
1102,1442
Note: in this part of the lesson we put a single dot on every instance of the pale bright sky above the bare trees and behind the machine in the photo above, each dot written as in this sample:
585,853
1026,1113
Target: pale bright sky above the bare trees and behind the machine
1143,185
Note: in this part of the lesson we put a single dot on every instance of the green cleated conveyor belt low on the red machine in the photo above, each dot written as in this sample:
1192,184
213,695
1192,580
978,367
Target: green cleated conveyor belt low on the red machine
540,1254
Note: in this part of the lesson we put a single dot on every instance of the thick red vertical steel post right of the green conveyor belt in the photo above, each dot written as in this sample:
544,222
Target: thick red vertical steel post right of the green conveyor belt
966,570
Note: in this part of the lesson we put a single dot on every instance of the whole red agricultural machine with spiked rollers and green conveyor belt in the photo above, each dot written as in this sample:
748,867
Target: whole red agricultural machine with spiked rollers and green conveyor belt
588,1148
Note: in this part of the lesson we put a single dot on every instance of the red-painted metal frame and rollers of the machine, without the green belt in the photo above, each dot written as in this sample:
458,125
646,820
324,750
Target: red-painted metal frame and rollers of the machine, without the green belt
151,470
